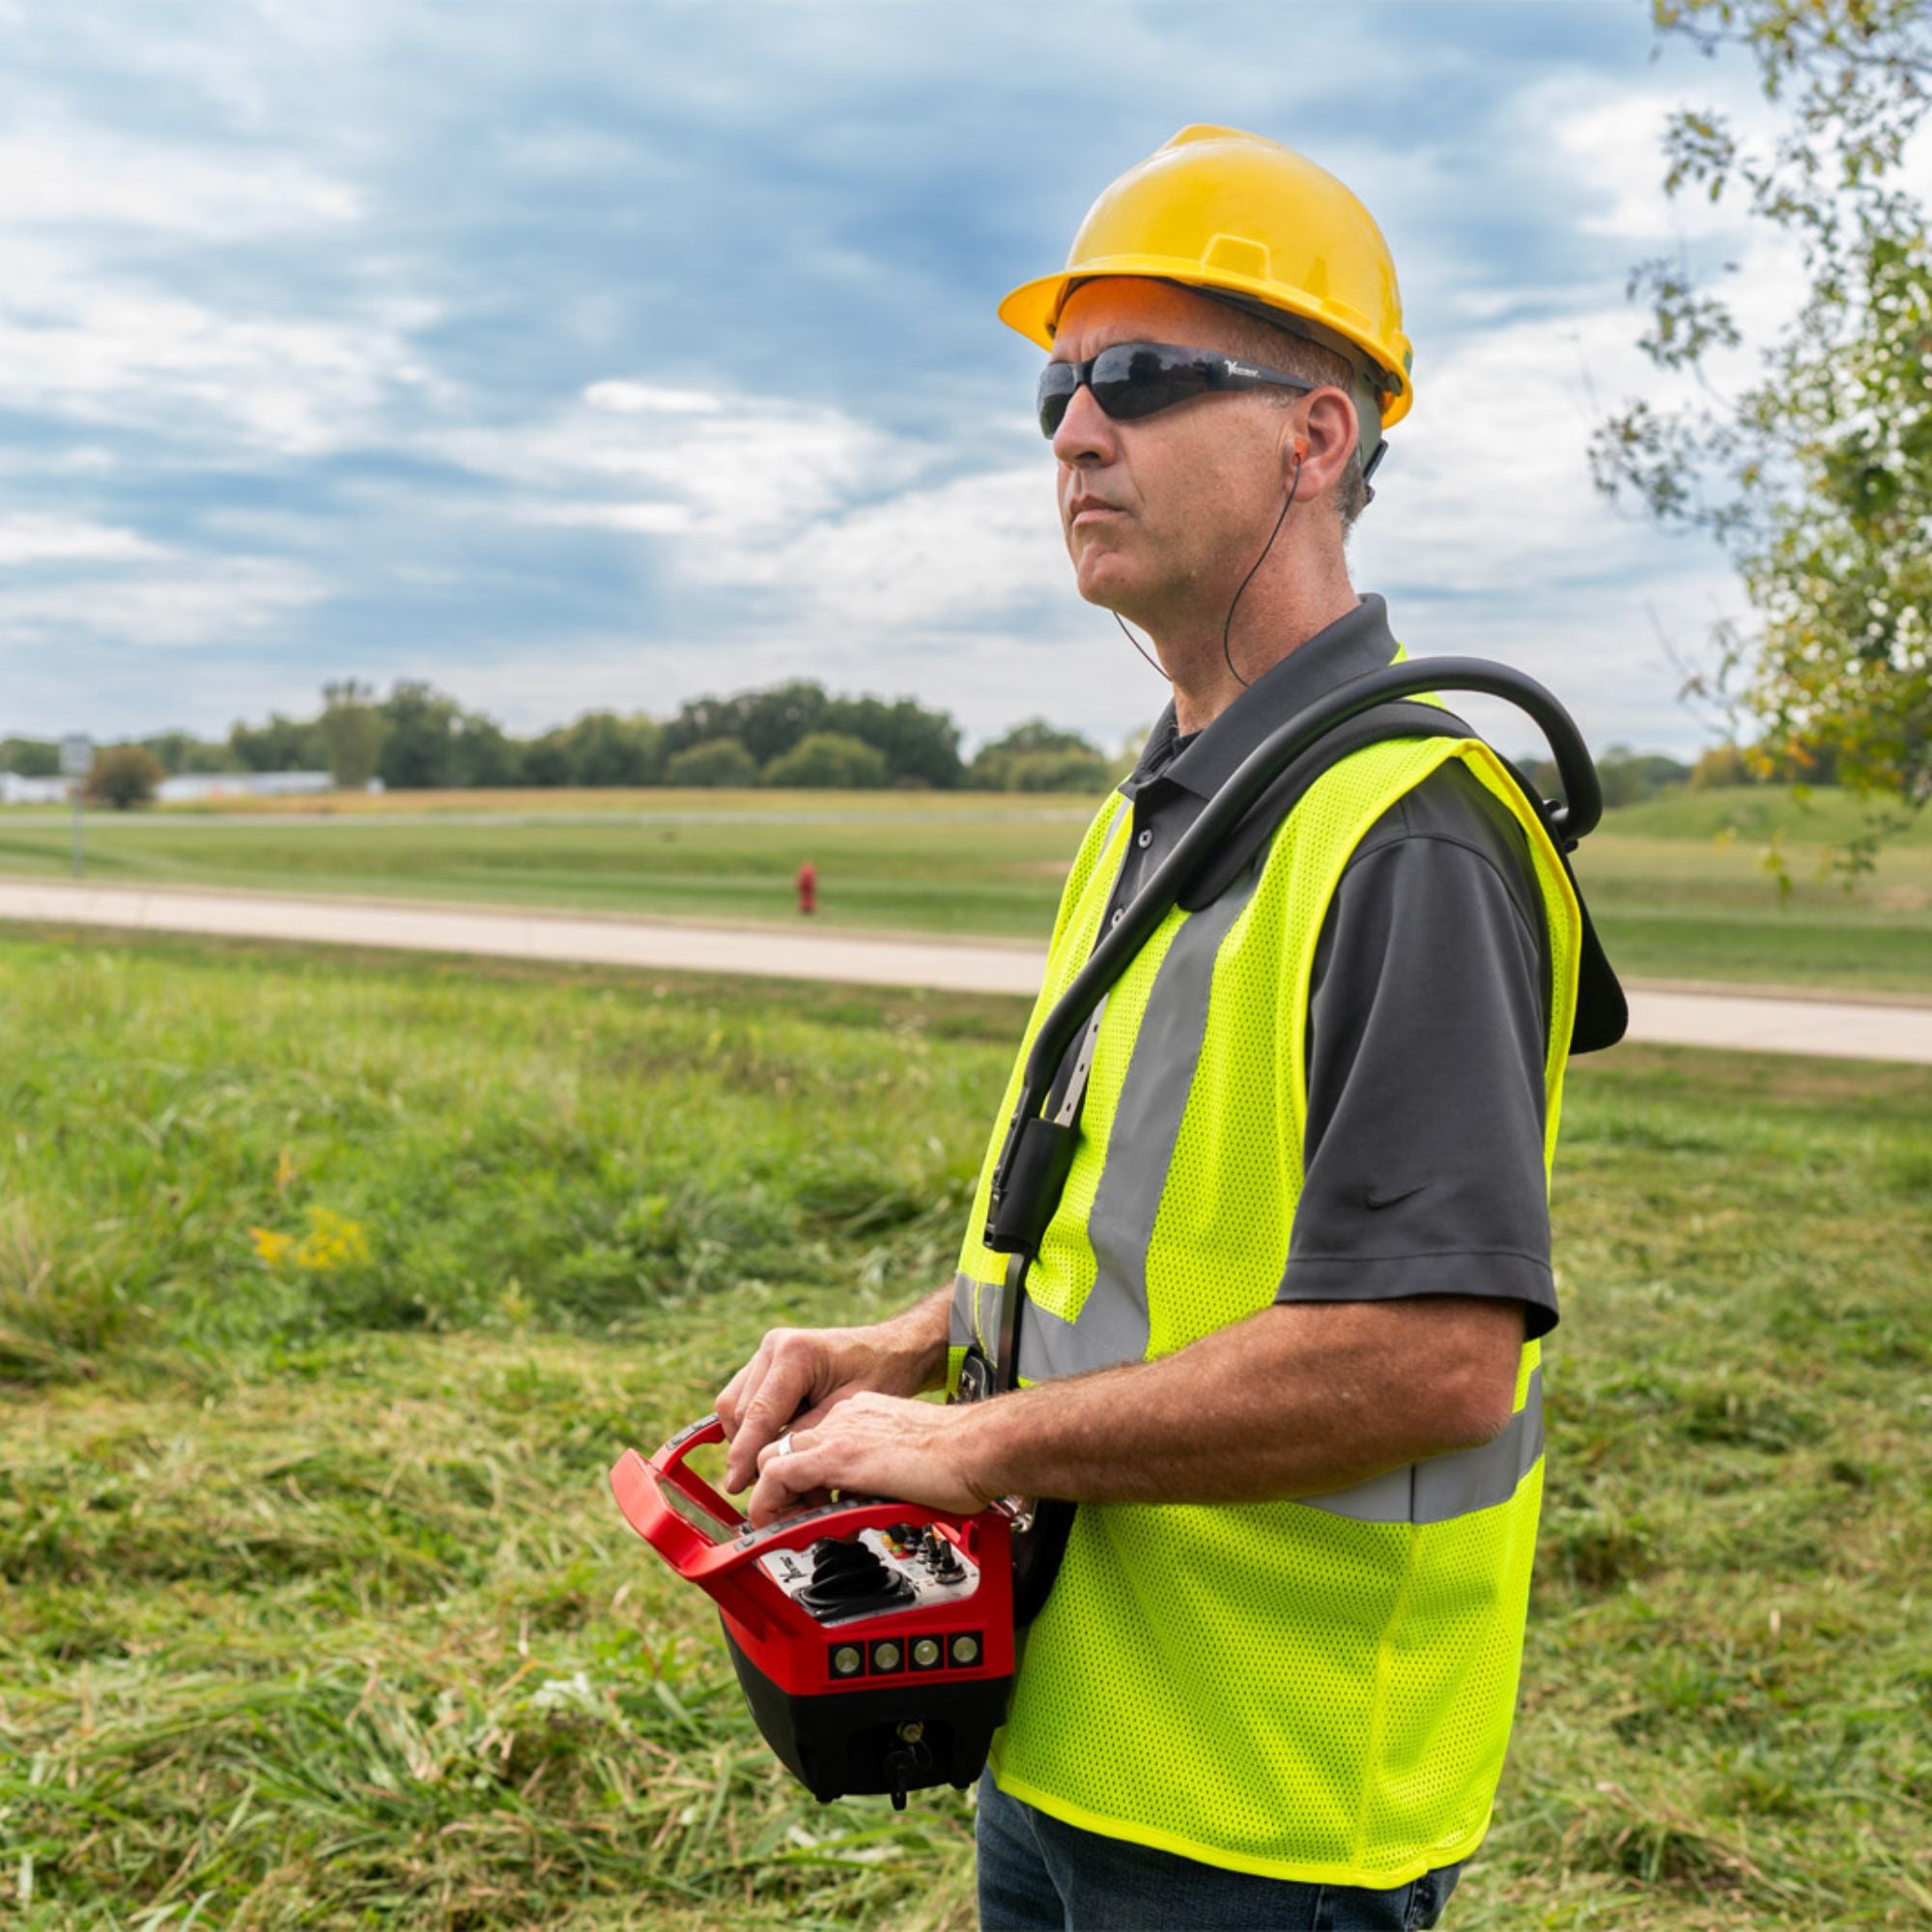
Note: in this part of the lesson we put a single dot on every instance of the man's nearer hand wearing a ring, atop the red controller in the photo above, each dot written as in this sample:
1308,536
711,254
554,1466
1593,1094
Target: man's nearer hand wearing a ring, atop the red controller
876,1446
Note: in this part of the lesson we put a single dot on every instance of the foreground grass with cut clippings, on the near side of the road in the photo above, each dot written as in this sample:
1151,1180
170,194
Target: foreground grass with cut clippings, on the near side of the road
314,1610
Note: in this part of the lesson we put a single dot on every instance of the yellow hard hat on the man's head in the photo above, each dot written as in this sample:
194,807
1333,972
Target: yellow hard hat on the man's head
1243,217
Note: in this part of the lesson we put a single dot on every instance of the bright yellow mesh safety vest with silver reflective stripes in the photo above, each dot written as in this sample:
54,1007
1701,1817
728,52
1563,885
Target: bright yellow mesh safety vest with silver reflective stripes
1313,1690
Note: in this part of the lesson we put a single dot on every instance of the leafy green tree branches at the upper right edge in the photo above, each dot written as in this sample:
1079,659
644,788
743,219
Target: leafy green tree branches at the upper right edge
1817,480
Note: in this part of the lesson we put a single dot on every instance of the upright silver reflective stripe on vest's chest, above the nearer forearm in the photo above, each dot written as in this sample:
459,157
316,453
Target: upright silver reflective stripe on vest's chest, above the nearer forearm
1141,1147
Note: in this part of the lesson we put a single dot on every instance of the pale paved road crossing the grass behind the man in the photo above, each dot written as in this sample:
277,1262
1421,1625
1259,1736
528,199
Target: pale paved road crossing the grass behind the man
1757,1023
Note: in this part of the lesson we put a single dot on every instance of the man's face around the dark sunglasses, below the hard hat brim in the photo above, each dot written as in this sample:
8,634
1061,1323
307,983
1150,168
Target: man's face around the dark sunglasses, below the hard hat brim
1158,513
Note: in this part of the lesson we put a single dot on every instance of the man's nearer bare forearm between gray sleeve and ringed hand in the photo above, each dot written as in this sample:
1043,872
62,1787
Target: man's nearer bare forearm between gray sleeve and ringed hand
1293,1402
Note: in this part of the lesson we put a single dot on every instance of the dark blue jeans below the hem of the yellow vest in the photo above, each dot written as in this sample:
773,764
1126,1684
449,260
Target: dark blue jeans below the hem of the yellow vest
1040,1875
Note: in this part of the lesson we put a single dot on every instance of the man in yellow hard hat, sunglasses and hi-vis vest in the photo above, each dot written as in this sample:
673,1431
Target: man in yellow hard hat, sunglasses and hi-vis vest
1280,1342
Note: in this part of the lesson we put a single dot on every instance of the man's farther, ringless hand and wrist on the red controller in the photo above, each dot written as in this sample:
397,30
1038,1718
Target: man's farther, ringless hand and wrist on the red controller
799,1377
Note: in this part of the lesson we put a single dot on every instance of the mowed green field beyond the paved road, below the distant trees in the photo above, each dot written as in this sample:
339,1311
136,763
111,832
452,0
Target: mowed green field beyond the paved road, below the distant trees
1680,886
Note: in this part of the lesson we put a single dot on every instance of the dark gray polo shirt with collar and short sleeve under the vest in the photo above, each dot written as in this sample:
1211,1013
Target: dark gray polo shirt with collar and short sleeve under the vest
1427,1017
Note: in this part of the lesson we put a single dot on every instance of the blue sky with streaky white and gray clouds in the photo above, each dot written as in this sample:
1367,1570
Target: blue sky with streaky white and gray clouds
610,355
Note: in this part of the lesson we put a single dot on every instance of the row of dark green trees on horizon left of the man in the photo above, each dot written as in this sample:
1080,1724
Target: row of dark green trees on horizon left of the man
422,739
